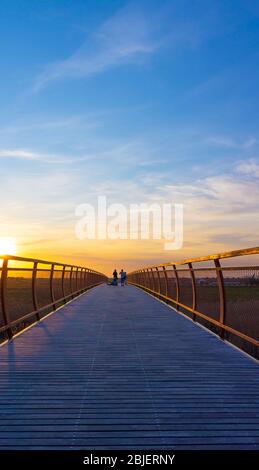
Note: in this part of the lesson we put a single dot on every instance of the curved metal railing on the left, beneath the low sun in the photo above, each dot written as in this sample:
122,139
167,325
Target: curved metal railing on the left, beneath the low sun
31,288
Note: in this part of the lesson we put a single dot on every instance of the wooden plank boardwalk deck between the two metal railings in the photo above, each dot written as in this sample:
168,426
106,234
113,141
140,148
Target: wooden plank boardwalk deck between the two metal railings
118,369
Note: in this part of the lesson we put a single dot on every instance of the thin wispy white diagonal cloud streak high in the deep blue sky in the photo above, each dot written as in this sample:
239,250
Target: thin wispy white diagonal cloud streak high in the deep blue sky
127,35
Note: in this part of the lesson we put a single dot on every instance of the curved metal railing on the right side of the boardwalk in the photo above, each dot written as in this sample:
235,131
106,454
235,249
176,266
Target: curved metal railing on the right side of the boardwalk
223,298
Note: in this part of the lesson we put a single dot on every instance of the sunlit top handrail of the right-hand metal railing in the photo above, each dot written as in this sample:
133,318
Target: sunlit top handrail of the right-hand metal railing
224,255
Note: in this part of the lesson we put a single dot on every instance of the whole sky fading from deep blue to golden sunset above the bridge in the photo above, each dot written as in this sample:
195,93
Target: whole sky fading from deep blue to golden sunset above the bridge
142,101
